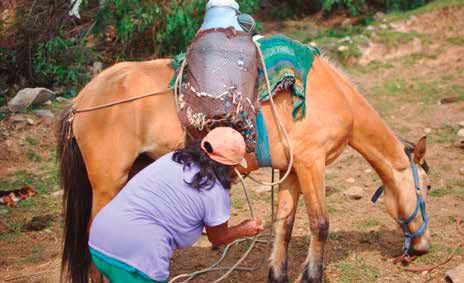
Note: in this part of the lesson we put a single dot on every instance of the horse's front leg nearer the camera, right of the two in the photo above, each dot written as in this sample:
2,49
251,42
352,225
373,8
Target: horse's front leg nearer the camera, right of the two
311,176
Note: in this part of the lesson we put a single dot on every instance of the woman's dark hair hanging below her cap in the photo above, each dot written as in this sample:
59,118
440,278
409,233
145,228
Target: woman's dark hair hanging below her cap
210,170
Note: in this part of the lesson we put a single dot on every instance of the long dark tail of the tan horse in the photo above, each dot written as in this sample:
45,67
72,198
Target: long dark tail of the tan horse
77,204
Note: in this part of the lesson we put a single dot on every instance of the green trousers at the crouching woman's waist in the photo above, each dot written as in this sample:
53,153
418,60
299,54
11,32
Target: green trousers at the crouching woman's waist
118,272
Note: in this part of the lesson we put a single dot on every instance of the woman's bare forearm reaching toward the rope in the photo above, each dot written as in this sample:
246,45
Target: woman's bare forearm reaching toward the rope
223,234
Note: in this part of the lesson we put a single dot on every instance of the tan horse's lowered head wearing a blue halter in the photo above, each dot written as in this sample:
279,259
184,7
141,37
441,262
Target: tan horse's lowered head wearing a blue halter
417,185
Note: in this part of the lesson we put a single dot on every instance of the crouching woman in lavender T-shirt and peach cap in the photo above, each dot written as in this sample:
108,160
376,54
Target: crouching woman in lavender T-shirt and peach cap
166,206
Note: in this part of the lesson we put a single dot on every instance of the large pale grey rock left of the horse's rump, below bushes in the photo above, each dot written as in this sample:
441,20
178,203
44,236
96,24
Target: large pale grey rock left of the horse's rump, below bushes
28,96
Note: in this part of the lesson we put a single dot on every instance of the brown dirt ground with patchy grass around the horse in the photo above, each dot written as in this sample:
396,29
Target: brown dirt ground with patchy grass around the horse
405,83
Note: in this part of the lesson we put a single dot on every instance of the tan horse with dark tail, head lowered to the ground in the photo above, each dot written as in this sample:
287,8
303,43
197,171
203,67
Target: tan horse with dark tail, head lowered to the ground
98,155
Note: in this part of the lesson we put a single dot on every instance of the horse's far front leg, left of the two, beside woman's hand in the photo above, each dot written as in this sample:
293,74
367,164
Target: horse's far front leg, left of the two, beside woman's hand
287,203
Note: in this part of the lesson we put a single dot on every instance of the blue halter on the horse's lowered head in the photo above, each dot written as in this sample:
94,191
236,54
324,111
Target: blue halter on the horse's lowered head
420,205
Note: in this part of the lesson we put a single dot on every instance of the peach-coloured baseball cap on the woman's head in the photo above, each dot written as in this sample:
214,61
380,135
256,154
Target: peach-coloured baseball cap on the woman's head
225,145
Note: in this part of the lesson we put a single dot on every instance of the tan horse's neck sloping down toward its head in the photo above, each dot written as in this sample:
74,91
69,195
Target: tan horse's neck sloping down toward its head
375,141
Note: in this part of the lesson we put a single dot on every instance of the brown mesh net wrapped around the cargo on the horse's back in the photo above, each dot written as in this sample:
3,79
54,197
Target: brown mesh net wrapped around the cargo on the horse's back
222,67
